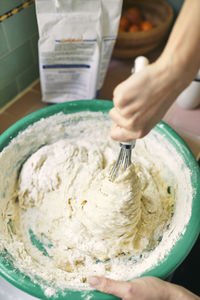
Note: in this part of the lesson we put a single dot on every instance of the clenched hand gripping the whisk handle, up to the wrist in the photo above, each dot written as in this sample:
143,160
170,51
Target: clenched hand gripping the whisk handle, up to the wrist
141,101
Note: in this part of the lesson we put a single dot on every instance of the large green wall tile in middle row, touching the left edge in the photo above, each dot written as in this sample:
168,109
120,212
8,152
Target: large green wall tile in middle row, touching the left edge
15,63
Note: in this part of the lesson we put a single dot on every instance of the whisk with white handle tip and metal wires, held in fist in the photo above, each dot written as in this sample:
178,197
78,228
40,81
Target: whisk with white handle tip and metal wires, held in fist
124,158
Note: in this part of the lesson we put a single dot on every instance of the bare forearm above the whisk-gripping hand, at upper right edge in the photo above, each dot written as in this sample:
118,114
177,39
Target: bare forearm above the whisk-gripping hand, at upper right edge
183,46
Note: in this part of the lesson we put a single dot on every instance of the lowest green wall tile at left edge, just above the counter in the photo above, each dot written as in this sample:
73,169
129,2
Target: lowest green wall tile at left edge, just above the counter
8,93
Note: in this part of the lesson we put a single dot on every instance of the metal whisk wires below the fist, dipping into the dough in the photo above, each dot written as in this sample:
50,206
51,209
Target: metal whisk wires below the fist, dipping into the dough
123,160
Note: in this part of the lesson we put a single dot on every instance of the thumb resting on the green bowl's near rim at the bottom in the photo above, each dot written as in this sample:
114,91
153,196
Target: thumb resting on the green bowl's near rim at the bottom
109,286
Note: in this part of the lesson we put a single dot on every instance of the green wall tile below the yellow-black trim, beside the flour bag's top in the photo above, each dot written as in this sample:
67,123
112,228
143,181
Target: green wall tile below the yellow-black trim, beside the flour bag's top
21,27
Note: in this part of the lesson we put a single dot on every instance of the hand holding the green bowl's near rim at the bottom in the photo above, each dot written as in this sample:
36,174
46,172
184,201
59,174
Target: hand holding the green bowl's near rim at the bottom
145,288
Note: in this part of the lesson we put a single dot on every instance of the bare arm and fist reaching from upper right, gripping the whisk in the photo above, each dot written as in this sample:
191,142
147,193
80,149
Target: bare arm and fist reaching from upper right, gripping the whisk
142,100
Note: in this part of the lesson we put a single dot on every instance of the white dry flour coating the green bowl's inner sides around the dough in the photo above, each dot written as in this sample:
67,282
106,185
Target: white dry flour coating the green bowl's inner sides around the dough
152,151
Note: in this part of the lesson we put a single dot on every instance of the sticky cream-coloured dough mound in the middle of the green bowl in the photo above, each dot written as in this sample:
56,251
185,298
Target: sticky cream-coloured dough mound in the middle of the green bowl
66,199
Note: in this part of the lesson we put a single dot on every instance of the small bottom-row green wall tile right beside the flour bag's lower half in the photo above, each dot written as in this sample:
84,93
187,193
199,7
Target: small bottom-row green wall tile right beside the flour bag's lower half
27,77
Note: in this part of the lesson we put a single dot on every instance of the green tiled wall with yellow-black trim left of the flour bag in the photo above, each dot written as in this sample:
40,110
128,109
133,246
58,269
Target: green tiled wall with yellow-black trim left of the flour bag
18,50
